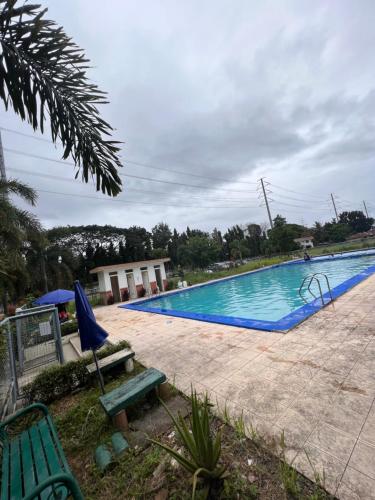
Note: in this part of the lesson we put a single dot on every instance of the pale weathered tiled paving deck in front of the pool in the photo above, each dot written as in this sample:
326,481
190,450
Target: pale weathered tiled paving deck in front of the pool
315,382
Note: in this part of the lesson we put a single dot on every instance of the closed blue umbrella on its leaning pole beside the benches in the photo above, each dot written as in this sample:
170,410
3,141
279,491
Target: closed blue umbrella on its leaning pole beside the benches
92,335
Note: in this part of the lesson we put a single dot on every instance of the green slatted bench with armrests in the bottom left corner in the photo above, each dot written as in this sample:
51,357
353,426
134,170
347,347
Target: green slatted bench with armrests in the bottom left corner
33,462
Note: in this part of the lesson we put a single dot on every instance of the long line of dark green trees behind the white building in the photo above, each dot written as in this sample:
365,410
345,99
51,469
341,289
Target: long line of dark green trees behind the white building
54,258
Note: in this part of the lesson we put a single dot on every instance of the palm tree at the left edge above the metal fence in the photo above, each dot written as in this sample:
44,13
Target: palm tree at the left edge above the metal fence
17,227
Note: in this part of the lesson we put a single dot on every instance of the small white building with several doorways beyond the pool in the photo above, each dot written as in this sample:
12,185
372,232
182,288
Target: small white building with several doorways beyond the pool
122,281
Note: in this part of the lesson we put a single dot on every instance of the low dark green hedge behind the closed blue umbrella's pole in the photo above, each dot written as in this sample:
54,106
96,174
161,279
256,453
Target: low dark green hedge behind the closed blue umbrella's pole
58,381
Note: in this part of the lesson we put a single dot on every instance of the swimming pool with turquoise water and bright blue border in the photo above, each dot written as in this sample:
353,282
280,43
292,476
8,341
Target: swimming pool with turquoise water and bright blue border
265,299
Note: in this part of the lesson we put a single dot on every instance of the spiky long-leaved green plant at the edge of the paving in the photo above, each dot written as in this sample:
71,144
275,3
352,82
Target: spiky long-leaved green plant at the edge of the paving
202,447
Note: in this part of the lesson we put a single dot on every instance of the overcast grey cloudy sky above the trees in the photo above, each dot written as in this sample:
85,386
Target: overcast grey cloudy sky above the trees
208,97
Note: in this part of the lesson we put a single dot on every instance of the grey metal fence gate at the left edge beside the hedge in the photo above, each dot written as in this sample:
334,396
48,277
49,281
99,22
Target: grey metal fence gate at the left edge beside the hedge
30,341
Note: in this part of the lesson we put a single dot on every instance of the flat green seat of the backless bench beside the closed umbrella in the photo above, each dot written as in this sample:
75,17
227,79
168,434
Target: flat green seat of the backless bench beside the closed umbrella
131,391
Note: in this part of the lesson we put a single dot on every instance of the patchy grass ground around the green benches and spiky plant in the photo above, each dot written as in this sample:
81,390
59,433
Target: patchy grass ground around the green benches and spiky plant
147,471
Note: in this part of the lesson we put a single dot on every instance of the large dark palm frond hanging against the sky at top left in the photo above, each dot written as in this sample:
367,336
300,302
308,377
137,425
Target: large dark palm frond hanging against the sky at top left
43,73
